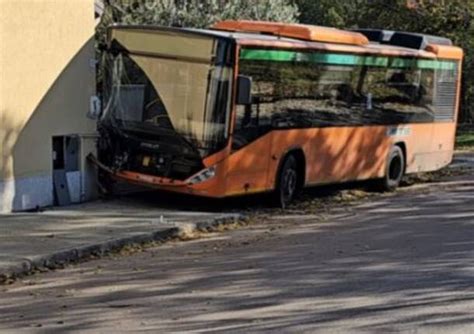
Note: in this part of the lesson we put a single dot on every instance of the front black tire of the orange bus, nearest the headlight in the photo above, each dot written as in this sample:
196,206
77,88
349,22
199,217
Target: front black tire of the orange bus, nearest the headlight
287,183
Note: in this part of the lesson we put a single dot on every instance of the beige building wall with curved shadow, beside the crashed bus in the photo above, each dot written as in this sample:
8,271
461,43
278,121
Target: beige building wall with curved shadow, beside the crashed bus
47,77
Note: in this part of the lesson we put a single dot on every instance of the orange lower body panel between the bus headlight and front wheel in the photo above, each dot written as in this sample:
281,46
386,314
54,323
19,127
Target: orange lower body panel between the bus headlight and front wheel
247,168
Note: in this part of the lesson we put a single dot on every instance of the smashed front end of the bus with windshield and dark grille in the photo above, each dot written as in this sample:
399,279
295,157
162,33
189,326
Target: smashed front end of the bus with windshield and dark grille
167,101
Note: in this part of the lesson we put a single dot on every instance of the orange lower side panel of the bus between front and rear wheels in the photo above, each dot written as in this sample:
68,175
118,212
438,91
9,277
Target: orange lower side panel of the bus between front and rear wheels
335,154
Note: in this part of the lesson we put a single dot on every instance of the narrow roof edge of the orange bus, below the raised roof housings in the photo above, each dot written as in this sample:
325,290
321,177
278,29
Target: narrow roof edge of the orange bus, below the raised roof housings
272,40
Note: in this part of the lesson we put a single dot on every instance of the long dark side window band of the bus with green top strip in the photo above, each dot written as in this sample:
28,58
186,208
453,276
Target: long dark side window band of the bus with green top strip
314,89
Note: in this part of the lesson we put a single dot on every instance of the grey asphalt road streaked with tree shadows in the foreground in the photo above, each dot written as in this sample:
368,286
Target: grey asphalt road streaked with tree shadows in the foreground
402,263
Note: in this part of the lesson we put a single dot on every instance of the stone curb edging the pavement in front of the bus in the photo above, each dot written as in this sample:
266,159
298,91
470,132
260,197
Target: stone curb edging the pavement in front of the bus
59,259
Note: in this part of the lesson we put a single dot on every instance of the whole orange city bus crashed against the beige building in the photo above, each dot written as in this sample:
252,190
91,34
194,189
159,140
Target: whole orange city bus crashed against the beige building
251,107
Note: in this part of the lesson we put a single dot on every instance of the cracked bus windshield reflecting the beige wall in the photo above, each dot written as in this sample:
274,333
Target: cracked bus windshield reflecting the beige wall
156,96
